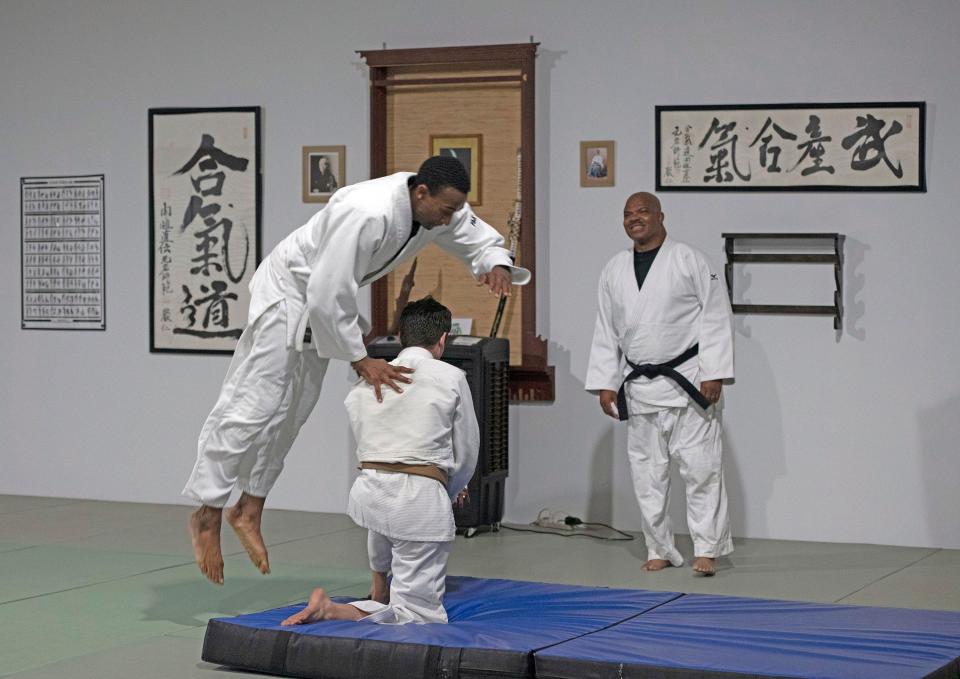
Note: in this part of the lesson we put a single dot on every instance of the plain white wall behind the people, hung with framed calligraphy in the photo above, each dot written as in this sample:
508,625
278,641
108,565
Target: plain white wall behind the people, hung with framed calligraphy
837,438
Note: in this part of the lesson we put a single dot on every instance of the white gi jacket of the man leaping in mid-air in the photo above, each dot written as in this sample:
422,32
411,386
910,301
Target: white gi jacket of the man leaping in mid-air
361,235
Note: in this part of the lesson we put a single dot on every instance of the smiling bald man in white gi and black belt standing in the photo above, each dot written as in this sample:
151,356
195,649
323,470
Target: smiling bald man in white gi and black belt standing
662,346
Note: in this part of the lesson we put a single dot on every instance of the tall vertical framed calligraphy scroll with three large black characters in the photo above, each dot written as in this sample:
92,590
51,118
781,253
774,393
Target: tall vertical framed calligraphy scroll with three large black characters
205,213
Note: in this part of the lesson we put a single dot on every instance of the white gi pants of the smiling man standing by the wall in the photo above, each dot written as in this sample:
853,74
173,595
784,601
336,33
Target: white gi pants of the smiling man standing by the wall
692,437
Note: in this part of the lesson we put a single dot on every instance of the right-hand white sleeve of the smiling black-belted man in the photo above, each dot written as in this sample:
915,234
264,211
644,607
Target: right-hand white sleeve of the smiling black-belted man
716,323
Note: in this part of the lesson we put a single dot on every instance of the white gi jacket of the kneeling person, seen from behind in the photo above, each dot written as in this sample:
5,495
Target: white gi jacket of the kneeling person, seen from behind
432,422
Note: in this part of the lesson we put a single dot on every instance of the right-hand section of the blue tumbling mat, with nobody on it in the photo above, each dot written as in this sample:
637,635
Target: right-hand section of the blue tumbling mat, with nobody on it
702,635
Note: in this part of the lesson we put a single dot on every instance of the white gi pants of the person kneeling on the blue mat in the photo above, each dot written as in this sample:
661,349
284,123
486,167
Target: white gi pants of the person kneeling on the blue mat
418,584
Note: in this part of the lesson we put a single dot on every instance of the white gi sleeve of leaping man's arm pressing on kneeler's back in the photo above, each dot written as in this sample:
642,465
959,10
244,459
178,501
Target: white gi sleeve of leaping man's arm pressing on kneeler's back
343,259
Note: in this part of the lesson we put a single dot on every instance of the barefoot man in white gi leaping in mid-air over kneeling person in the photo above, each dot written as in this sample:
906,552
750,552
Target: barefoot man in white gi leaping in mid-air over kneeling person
311,280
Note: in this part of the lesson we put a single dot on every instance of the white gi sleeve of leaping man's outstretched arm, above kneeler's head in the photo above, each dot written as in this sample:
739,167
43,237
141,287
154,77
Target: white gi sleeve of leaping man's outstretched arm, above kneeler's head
478,245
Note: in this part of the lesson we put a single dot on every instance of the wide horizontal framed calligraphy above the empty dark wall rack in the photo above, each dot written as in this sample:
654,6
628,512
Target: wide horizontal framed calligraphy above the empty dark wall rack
791,147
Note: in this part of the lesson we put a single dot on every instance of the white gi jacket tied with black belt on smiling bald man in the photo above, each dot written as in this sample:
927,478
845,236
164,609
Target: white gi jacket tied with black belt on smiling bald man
683,302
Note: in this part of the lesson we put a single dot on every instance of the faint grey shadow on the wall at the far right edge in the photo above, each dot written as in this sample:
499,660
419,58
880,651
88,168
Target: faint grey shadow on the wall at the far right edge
939,433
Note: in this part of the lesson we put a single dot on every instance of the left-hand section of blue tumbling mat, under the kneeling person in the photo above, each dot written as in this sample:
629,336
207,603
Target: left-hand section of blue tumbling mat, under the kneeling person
494,628
